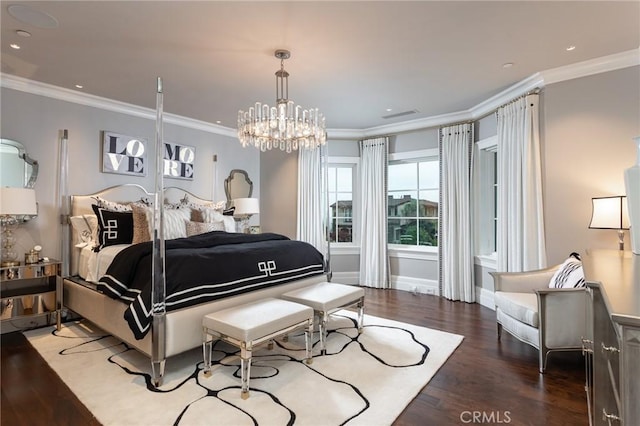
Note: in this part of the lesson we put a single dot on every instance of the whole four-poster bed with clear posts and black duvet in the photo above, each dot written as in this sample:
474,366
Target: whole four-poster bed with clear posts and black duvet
158,307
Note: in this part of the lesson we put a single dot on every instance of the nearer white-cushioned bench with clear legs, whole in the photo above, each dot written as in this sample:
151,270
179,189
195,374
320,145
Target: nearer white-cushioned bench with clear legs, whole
246,326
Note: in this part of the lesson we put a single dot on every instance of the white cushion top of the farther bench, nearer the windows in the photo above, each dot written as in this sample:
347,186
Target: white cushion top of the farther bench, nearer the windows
325,296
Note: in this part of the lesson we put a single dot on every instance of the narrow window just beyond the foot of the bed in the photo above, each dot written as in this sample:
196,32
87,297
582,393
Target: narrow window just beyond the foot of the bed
341,205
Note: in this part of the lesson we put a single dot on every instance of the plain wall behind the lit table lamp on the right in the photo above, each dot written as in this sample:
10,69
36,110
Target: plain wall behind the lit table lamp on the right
588,126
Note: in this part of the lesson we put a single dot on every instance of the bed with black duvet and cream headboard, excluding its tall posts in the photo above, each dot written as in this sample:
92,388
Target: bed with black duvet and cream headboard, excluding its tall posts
265,265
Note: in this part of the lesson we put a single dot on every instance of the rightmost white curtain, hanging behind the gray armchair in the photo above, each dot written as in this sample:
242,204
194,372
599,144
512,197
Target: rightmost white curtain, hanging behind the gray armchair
520,239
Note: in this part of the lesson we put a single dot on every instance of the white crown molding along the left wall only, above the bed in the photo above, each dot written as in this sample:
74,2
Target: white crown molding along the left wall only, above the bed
73,96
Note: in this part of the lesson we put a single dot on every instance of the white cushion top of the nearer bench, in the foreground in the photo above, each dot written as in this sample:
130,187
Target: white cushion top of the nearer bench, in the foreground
257,319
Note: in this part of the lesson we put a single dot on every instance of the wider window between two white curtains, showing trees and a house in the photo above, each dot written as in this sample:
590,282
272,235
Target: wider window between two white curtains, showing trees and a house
413,200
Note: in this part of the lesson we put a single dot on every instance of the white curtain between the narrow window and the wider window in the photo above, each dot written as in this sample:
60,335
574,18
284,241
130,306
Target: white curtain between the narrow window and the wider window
374,261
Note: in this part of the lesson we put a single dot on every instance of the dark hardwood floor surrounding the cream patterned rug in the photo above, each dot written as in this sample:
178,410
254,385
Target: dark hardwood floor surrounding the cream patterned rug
484,381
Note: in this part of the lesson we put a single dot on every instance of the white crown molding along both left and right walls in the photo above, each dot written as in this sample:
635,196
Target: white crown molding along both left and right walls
613,62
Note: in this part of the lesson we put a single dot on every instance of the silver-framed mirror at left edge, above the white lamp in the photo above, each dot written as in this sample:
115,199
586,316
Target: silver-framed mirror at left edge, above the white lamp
18,169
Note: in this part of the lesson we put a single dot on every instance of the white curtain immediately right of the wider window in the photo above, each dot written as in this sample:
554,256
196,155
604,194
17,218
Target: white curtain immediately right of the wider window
456,242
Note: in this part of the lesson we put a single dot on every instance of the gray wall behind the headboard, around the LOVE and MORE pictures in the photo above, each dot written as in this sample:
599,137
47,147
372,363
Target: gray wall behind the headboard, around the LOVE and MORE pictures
36,121
